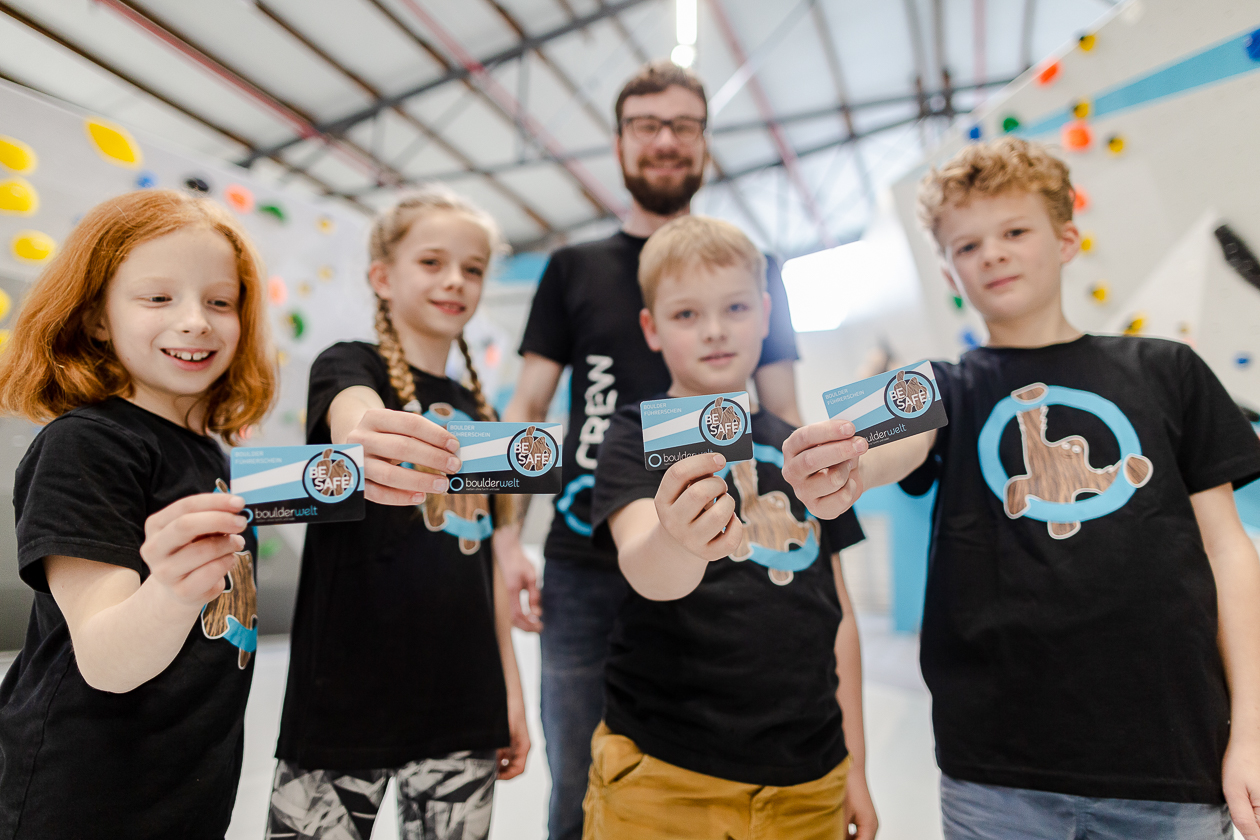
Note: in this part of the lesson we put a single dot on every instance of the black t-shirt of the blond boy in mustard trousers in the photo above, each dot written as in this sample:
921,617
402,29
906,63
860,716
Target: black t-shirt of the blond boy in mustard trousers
738,679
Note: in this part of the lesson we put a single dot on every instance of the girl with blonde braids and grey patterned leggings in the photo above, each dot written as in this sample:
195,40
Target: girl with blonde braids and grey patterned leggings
401,659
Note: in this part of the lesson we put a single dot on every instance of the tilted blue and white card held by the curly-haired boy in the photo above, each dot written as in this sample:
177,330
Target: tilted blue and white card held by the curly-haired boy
893,406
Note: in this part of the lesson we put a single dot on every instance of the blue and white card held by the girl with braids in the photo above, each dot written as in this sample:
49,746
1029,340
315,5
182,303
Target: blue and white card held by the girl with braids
508,458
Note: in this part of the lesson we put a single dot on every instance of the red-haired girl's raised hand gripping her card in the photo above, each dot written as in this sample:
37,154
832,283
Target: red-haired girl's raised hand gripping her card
191,546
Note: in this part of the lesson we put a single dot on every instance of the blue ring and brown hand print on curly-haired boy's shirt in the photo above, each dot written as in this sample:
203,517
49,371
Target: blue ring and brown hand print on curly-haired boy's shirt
1057,473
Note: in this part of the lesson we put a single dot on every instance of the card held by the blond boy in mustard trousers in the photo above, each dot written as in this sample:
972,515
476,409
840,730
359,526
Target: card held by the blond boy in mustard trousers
685,426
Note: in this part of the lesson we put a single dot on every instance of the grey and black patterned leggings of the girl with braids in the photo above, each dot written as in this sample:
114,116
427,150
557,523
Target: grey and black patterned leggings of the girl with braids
439,799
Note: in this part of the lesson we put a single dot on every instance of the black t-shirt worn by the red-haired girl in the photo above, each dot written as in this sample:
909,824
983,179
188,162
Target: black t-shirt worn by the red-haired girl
163,760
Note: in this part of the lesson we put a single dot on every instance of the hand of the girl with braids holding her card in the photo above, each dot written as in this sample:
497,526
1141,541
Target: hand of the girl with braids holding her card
391,439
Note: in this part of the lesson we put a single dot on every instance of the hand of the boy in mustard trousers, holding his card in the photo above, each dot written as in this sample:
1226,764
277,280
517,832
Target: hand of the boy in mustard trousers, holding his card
696,511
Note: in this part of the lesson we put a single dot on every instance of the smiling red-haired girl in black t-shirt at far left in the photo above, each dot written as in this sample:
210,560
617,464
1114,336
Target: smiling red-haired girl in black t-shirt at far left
143,341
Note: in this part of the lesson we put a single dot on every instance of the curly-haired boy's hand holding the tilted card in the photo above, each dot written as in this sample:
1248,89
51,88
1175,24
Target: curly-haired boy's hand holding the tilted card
821,463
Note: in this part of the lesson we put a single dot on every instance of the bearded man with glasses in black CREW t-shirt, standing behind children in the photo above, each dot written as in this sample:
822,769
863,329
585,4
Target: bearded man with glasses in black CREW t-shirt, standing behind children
585,315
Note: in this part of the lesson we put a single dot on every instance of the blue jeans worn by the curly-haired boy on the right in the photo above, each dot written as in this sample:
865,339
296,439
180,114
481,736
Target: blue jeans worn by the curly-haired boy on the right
972,812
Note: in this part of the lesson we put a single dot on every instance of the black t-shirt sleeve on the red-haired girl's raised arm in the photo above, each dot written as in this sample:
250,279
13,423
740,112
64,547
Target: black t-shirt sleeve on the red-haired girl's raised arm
81,492
